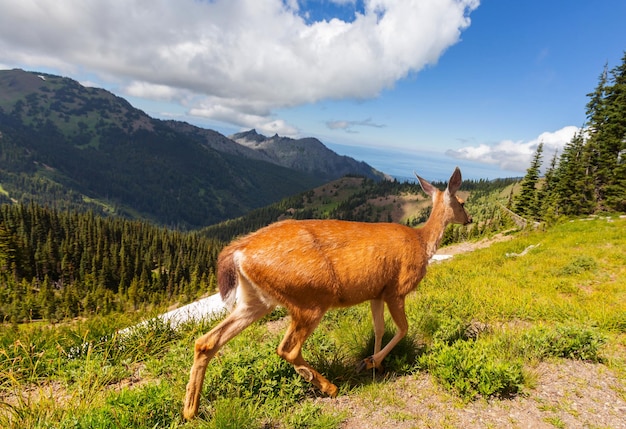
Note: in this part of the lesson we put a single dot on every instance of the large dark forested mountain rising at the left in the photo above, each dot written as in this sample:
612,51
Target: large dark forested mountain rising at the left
70,146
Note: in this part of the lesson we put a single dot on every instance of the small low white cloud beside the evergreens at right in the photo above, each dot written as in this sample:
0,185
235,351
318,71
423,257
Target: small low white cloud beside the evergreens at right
516,155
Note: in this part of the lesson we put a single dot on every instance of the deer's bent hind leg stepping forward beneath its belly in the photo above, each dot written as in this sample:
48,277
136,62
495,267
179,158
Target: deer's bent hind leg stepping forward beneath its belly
290,349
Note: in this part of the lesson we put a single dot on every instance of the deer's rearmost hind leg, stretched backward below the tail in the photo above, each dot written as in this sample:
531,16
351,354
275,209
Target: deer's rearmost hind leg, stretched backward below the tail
251,306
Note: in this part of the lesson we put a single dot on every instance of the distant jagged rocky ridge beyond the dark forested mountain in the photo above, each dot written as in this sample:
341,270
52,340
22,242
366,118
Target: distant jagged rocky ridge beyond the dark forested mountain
306,154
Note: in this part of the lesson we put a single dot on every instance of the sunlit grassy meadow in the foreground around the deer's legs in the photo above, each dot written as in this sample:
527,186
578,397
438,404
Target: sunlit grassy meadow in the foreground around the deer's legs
480,326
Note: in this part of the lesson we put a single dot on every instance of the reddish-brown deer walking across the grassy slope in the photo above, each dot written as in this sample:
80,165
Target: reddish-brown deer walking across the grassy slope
311,266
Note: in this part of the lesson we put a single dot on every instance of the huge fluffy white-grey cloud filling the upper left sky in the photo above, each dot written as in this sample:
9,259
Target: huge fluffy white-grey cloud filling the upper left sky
240,59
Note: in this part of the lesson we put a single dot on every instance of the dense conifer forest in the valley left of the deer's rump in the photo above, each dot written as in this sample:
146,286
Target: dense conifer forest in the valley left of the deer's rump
57,265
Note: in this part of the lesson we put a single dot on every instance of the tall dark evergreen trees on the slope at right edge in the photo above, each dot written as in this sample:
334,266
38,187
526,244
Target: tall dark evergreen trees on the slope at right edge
589,176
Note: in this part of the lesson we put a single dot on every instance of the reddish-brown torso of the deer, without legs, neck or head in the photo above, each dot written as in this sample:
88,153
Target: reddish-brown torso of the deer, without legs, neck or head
331,263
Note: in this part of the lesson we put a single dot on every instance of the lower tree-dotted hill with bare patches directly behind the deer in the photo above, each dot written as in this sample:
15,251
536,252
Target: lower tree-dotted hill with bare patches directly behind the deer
365,200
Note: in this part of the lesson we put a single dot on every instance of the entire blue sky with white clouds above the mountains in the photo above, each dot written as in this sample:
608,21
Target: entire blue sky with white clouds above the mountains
404,85
